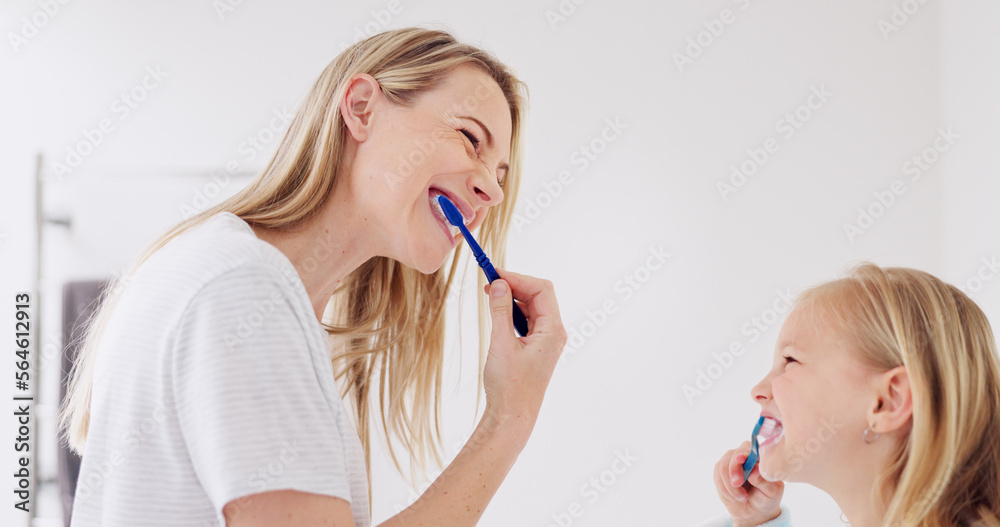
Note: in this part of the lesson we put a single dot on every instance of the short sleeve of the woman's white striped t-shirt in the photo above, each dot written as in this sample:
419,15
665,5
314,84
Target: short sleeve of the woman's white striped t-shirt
250,403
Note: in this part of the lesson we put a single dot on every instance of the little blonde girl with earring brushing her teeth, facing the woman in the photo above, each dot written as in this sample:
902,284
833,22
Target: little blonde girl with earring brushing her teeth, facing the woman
886,387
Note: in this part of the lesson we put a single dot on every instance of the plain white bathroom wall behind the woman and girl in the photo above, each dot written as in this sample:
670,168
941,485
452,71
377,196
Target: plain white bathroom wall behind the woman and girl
654,187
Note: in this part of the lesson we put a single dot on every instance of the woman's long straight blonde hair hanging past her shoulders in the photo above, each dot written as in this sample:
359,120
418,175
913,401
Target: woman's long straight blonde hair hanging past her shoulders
388,318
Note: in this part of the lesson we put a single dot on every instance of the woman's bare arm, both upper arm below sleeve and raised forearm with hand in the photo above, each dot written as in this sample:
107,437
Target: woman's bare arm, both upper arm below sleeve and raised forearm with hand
516,376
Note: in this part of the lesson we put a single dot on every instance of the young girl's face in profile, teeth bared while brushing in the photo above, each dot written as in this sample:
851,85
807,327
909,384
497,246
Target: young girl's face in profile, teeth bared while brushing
821,394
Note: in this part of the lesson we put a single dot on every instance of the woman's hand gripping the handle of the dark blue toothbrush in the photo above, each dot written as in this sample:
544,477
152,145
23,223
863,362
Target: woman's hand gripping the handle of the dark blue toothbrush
518,369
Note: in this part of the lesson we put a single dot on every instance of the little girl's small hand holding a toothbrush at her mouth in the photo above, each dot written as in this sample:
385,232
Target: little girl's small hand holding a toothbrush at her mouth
758,501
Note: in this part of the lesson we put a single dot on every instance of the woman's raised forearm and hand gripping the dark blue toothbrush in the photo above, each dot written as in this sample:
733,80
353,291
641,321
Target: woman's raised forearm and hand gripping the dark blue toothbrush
516,376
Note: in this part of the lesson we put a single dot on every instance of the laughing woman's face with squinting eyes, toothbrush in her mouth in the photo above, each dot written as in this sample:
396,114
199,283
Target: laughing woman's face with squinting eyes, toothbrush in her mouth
454,140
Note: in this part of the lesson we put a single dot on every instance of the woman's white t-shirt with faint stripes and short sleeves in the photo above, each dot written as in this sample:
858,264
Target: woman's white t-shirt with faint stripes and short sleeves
213,381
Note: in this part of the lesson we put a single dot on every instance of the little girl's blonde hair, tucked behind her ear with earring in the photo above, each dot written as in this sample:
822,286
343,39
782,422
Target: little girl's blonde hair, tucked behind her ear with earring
947,470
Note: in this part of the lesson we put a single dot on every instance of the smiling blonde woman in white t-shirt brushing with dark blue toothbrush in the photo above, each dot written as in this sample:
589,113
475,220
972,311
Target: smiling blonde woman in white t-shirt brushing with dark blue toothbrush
206,395
